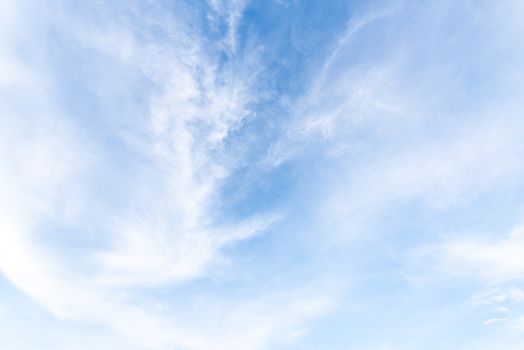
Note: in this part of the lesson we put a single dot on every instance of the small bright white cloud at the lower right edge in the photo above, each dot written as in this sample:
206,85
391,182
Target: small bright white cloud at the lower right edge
492,263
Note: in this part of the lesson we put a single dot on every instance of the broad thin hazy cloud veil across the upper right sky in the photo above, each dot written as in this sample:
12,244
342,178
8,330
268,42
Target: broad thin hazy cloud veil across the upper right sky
393,132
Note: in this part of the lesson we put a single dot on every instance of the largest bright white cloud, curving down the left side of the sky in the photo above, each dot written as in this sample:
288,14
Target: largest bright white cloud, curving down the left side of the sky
166,231
